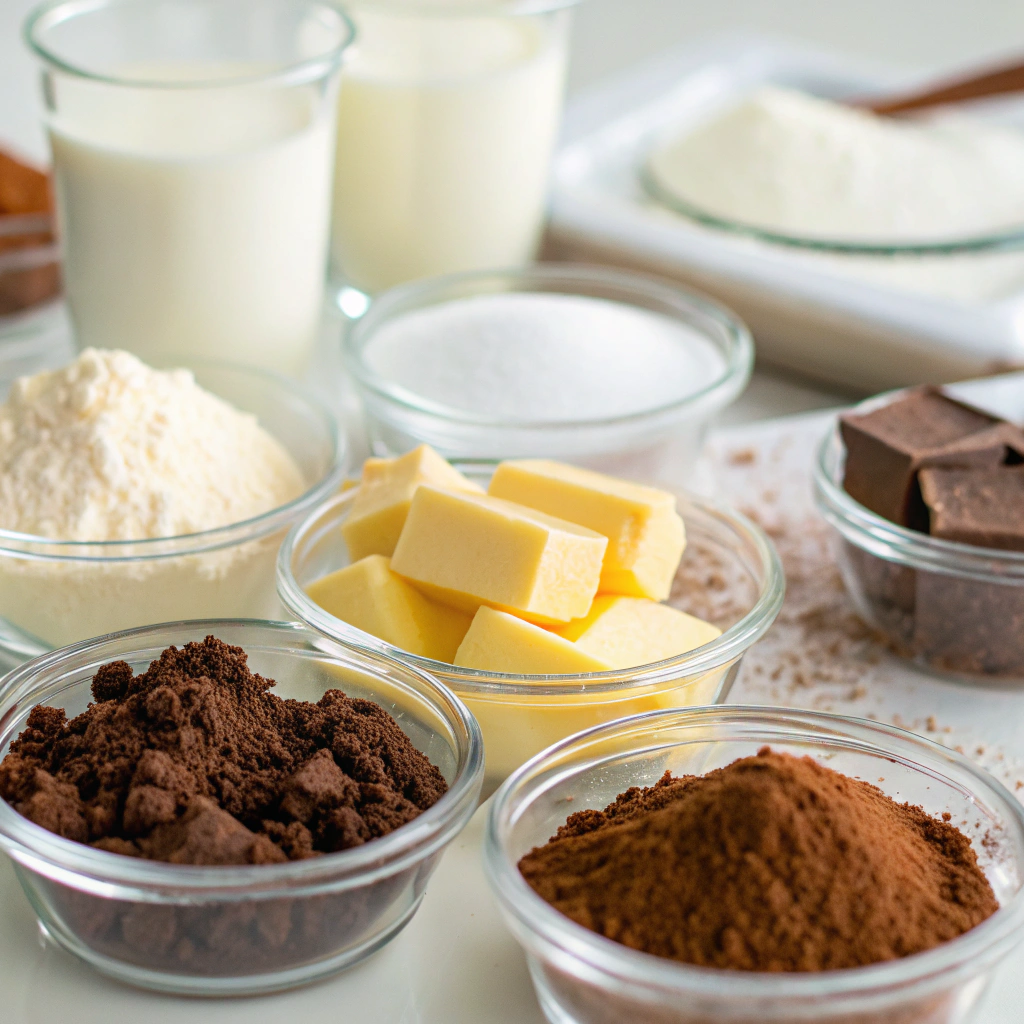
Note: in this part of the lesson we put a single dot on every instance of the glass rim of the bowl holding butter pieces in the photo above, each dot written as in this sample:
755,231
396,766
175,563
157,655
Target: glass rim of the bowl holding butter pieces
733,644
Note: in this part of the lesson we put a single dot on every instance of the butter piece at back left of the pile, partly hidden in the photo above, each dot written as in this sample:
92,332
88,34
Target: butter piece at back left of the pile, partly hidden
379,510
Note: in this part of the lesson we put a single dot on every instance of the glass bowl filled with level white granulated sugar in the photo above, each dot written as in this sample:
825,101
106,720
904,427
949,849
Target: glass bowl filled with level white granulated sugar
616,371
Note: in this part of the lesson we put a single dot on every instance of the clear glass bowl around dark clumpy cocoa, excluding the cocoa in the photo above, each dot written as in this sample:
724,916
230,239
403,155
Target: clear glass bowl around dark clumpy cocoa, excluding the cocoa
232,931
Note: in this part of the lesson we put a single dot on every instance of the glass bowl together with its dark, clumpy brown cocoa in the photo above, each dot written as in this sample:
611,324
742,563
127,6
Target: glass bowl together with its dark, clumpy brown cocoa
209,900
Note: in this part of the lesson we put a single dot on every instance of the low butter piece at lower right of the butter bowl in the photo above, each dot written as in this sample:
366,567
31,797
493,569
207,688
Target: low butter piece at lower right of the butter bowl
626,632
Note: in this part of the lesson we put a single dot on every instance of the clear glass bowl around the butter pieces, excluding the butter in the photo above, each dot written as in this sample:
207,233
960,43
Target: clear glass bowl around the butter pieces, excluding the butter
731,576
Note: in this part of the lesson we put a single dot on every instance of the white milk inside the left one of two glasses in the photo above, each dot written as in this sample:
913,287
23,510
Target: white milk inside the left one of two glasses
195,221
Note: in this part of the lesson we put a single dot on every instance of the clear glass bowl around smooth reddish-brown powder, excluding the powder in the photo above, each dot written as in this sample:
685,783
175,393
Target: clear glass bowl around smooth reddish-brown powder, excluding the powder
584,978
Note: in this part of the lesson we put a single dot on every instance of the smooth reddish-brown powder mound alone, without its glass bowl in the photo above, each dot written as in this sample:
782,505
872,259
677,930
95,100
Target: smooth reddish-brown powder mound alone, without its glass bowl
772,864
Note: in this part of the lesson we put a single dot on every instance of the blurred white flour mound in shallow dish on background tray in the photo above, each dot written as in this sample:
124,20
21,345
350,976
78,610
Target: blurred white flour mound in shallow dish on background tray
788,162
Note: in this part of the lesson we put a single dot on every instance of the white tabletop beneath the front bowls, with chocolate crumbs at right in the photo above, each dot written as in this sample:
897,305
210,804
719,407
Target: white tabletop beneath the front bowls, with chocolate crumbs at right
456,963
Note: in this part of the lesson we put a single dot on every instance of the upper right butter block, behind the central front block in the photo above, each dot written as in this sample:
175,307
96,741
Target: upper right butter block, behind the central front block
645,531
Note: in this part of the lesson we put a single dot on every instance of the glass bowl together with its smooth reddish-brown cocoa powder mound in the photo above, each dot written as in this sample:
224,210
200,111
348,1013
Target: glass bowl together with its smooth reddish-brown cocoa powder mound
968,856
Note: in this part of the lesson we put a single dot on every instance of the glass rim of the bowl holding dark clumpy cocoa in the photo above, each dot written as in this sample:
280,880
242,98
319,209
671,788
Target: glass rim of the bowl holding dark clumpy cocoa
413,842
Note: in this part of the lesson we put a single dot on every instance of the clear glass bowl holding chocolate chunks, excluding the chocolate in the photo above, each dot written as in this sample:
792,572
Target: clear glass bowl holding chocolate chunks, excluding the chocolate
956,609
